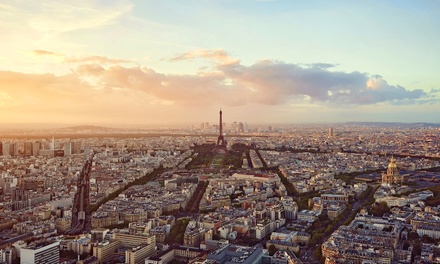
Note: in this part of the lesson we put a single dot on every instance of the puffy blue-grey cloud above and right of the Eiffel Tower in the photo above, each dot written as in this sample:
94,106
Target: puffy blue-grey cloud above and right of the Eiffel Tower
276,82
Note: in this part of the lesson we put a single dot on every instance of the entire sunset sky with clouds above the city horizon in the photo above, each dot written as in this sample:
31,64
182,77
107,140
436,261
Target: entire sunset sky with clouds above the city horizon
145,62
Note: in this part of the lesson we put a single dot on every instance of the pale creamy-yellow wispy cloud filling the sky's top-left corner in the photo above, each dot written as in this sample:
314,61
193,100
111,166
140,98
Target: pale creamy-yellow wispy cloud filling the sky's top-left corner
49,25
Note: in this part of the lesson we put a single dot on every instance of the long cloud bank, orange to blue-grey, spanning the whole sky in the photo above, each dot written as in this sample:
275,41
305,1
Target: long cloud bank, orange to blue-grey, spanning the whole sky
102,85
